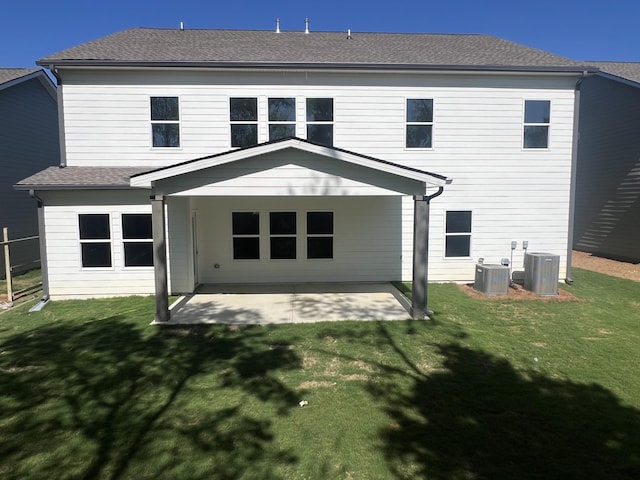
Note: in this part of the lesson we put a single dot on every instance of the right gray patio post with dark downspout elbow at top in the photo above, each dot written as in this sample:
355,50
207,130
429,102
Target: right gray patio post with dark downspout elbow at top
419,293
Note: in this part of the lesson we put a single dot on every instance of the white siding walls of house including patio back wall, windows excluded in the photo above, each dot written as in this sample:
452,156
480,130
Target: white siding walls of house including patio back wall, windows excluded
513,193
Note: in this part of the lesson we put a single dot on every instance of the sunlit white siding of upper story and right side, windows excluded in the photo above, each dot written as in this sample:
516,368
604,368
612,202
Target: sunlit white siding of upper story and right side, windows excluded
514,194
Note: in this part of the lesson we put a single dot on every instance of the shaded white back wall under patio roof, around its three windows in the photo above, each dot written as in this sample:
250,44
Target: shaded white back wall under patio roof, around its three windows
367,242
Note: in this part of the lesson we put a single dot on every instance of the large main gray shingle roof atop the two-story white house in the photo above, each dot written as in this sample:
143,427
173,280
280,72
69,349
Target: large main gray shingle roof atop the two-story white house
267,48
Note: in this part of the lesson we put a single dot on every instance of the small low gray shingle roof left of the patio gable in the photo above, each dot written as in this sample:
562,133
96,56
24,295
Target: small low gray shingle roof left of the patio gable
56,178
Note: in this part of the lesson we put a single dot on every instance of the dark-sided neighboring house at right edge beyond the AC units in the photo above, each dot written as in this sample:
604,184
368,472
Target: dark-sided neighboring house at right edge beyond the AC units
607,214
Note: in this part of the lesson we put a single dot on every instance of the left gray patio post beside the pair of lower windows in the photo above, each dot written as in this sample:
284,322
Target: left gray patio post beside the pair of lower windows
160,258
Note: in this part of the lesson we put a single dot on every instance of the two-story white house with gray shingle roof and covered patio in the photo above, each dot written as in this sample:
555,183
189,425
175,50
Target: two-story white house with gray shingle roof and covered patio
292,157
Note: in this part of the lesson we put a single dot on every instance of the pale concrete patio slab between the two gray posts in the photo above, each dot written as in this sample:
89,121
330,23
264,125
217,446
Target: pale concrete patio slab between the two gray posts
299,303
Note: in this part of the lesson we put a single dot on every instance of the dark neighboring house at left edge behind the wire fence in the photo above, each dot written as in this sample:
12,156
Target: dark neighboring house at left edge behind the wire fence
29,142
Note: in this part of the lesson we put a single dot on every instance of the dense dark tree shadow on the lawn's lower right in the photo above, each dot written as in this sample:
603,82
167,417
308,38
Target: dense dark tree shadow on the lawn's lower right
479,418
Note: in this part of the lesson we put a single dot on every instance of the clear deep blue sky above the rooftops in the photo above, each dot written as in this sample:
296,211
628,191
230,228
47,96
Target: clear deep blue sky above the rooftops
581,30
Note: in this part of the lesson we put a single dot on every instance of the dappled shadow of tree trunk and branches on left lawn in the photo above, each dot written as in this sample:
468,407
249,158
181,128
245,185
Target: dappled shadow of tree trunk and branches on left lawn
108,399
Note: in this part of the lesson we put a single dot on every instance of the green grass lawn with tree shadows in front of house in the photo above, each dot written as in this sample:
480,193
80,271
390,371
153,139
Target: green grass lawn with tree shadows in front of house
490,389
